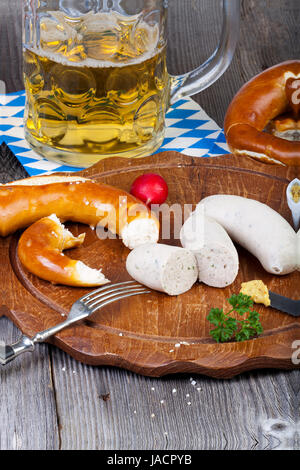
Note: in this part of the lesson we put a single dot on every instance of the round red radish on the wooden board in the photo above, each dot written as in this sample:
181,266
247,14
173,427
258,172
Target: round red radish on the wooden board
150,188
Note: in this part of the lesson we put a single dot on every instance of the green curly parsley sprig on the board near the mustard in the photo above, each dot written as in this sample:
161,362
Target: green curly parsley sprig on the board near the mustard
228,328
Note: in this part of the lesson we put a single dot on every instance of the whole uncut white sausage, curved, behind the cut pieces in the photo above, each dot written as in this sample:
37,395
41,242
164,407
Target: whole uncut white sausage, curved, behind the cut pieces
256,227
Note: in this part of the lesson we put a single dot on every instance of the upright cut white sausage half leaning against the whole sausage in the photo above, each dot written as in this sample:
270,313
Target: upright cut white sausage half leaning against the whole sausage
217,258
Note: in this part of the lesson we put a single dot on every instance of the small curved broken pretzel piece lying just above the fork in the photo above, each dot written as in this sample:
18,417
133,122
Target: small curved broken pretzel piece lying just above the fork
40,251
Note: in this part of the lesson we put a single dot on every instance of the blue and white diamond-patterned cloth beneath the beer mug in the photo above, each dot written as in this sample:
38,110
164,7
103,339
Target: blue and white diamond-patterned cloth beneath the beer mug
189,130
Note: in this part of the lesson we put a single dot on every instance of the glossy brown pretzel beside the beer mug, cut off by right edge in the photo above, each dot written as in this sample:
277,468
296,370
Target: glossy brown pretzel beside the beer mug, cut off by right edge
267,96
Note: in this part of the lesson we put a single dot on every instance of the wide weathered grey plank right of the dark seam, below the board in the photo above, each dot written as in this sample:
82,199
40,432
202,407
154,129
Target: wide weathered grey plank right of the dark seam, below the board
254,411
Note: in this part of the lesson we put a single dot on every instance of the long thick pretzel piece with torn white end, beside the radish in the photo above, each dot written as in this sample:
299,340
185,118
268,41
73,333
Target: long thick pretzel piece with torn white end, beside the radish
79,200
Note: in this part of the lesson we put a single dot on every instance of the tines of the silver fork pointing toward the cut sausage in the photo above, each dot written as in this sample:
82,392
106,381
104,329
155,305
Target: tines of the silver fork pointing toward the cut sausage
111,293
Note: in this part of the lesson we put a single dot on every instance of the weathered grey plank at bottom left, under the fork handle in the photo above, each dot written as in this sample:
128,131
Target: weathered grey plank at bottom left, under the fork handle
28,418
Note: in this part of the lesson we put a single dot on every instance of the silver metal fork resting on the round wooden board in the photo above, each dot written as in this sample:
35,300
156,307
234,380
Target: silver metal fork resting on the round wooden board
81,309
